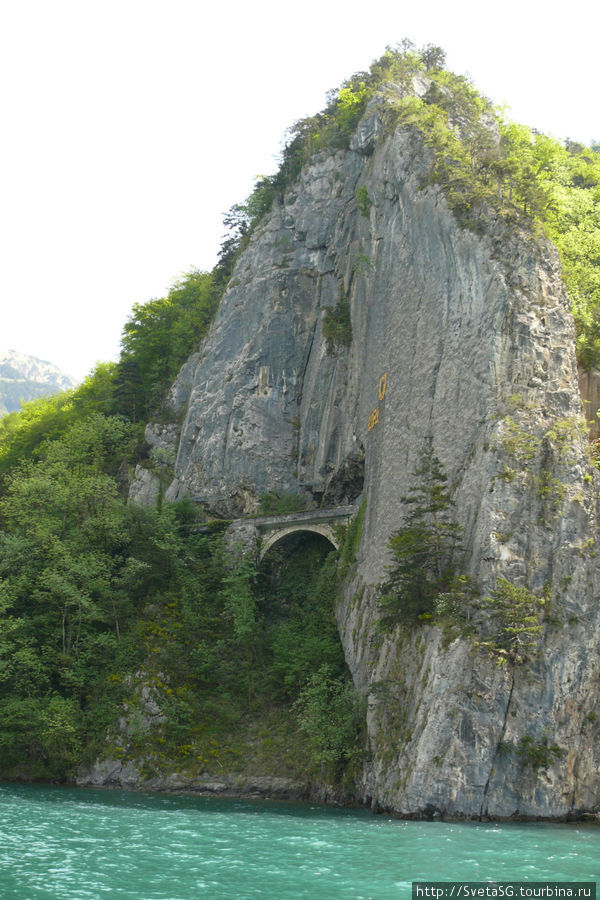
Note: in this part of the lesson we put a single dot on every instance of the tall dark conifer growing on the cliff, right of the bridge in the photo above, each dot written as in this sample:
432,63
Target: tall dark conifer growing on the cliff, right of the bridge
426,551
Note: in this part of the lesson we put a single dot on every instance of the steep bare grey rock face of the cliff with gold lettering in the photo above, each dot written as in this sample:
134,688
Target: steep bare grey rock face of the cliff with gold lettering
459,340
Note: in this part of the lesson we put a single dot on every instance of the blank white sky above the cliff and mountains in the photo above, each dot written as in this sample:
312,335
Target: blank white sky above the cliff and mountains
128,127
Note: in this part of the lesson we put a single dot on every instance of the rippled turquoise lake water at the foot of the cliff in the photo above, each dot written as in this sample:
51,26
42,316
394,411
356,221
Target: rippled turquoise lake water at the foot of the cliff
61,843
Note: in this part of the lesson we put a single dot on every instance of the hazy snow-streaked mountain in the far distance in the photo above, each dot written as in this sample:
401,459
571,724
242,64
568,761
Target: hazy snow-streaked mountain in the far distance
25,378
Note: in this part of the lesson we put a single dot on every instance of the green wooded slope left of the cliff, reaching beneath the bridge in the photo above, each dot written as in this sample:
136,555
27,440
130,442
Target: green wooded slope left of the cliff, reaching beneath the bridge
113,611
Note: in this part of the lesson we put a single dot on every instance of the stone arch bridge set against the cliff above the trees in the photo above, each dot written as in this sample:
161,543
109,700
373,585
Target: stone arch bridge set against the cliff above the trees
258,535
